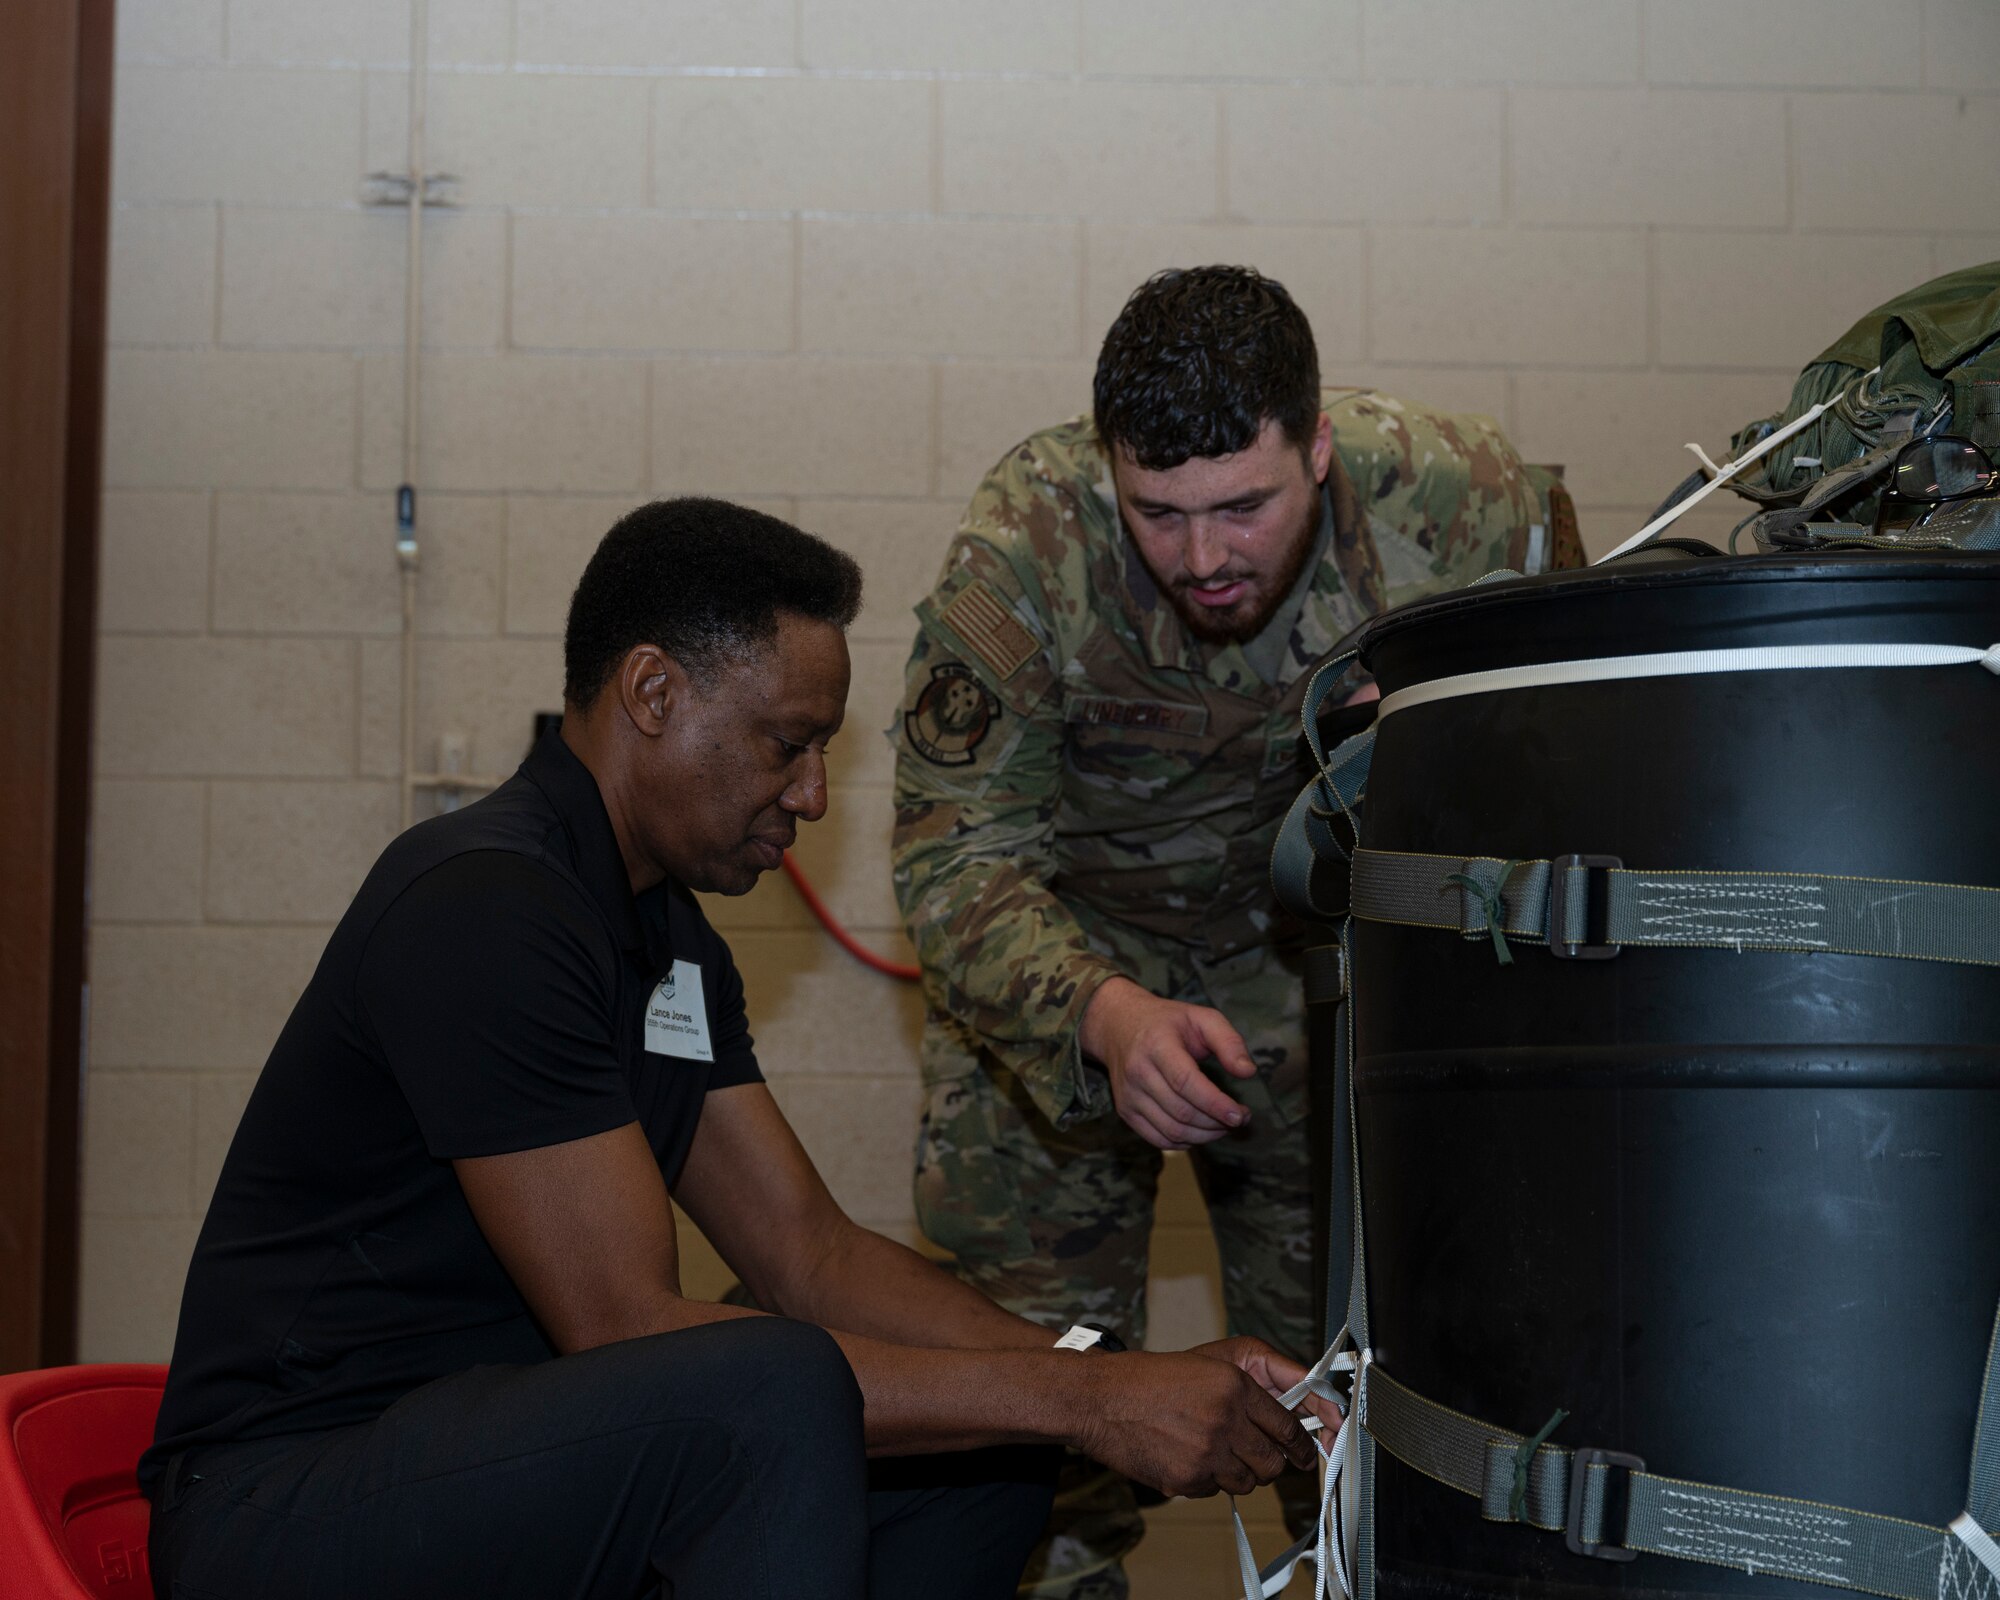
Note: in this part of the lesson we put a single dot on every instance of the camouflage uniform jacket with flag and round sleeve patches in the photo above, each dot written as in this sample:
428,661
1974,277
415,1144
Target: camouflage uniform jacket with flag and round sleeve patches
1083,789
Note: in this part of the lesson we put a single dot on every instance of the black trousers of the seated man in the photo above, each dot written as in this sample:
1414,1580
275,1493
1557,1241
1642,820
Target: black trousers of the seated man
719,1461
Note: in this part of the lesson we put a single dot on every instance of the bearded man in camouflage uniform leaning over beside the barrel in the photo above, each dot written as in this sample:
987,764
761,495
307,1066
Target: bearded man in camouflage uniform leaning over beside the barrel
1099,739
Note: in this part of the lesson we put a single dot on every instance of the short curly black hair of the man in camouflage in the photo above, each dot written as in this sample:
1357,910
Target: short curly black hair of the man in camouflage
1199,361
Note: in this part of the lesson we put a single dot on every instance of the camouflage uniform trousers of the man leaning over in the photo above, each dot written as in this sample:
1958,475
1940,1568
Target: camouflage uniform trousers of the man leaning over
1055,1225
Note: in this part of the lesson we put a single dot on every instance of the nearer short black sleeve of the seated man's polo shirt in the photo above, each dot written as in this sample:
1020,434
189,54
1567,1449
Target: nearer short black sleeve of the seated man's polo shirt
491,987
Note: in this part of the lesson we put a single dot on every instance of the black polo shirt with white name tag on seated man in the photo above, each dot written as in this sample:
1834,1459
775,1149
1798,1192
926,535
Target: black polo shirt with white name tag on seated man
495,987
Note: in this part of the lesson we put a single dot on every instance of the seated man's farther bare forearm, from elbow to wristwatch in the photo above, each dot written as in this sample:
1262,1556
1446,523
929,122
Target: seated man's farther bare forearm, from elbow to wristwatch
869,1285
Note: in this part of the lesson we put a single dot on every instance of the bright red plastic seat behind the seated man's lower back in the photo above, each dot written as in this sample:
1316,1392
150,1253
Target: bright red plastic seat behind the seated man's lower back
73,1523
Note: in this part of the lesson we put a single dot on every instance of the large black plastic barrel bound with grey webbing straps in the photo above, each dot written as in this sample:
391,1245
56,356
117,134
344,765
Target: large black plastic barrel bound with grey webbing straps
1737,1213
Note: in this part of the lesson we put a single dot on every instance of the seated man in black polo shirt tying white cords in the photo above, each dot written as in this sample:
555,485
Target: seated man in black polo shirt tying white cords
433,1339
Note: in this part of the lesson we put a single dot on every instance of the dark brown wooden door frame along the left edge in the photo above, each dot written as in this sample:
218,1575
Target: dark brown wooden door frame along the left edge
55,221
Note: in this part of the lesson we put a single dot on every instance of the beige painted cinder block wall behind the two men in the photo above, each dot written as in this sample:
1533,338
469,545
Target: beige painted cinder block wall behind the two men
835,257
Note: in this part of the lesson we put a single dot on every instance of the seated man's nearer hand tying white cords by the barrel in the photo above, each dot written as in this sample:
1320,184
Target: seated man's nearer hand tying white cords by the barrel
1193,1423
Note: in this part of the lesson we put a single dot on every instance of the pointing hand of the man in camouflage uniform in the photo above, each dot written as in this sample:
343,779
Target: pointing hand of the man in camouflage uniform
1153,1053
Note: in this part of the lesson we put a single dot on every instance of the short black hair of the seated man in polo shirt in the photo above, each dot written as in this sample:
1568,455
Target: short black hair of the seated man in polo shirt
707,583
